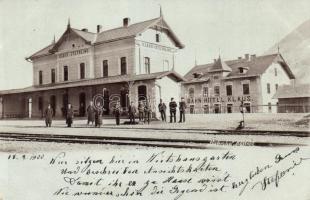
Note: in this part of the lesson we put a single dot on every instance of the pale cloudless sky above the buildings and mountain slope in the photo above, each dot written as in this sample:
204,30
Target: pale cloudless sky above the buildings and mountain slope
208,28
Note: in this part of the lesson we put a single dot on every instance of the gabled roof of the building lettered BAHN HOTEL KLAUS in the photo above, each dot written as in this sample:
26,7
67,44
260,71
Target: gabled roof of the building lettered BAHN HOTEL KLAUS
256,66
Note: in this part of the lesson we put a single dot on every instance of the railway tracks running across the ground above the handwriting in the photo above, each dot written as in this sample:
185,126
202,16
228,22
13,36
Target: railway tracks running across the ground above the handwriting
153,142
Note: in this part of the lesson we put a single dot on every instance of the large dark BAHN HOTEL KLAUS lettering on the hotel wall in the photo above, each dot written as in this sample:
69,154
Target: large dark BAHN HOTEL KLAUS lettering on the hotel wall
219,99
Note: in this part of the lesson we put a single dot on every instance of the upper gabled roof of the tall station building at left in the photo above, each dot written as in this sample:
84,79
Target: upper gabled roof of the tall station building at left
111,35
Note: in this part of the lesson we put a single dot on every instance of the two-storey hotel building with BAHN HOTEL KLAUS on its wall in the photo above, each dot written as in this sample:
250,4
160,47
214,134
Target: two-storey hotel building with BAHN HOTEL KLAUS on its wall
220,86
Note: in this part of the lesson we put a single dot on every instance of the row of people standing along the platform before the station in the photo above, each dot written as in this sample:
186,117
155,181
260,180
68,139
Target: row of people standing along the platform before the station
144,112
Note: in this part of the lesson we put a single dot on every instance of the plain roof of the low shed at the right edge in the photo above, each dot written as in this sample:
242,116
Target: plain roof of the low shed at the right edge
292,91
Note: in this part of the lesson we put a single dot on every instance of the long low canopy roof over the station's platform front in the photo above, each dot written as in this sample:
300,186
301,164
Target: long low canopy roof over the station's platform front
97,81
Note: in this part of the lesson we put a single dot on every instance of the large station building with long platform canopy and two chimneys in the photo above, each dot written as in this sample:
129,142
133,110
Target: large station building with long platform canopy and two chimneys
129,63
